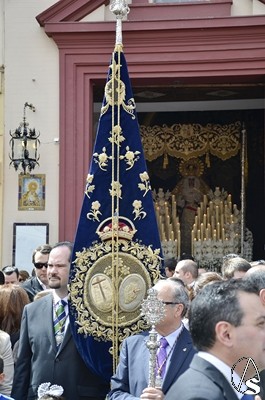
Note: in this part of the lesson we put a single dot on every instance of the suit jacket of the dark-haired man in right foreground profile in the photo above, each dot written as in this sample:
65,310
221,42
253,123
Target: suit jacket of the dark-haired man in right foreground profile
202,381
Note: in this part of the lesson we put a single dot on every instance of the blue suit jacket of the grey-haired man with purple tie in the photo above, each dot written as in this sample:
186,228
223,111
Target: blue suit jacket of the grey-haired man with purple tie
133,370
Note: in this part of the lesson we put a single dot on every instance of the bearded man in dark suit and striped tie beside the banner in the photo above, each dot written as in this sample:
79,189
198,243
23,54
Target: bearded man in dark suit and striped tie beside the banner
47,354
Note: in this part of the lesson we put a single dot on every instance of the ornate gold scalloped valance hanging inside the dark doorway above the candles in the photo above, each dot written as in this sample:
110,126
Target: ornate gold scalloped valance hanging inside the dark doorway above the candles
191,140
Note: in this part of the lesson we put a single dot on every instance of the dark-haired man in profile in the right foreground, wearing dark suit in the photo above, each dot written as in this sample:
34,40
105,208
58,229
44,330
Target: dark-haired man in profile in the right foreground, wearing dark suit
227,325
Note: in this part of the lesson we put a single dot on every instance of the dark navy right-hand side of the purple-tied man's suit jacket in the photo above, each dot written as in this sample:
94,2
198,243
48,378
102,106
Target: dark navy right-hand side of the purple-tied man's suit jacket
179,355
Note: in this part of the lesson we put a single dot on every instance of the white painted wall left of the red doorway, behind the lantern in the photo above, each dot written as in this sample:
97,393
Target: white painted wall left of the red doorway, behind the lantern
31,75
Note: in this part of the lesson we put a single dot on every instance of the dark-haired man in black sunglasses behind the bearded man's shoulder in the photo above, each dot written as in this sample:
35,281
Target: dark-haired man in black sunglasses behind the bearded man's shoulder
38,282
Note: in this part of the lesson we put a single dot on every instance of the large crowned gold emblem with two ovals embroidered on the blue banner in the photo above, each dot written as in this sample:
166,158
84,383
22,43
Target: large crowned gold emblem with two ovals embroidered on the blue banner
93,291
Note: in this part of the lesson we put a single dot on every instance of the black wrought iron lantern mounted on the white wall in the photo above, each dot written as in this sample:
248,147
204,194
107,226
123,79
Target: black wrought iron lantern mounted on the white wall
24,144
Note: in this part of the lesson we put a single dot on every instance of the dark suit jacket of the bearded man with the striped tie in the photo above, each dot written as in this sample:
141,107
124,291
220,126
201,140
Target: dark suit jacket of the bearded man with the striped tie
39,361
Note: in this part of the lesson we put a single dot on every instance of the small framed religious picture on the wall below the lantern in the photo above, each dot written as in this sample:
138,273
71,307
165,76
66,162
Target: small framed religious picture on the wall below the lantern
31,195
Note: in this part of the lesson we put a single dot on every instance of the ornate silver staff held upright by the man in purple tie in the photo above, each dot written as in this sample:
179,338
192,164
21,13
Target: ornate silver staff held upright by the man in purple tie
153,311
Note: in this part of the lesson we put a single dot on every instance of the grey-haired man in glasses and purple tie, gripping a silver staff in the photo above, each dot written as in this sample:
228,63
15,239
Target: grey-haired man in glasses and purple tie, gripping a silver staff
131,378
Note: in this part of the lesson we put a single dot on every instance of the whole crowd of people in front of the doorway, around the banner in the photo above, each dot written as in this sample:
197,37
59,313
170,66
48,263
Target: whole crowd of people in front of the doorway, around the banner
210,342
